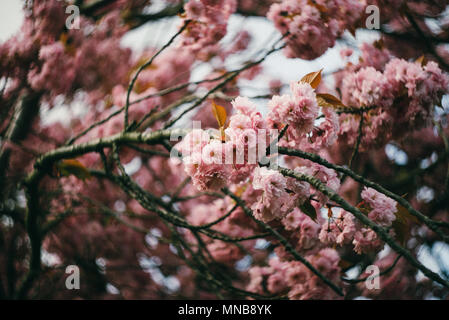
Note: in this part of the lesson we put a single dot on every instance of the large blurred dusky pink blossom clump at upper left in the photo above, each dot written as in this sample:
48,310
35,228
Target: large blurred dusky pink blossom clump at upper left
95,63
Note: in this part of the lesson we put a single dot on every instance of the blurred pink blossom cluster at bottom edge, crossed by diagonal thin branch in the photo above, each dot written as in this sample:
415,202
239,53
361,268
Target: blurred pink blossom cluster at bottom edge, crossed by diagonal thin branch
296,280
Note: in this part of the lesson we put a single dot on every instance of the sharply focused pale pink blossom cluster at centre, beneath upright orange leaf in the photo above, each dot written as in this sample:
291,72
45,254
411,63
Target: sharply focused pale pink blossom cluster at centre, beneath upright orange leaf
212,162
